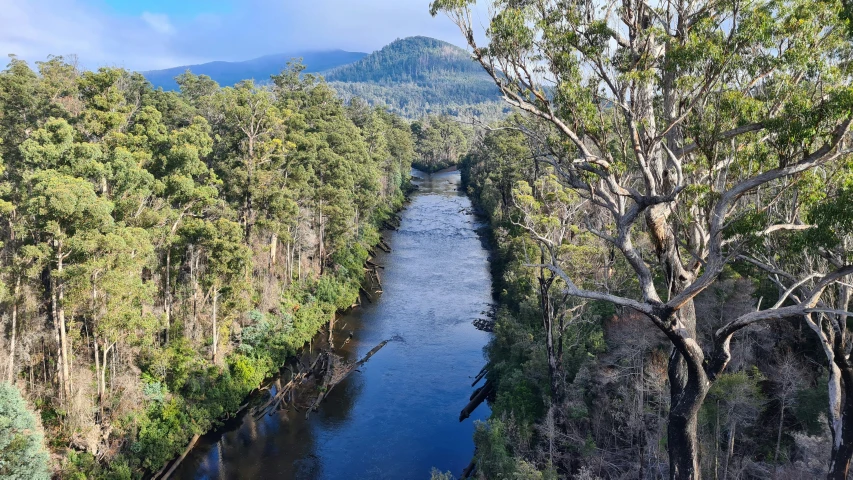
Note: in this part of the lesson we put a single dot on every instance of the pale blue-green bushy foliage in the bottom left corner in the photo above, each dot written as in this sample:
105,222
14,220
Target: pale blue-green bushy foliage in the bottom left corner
22,452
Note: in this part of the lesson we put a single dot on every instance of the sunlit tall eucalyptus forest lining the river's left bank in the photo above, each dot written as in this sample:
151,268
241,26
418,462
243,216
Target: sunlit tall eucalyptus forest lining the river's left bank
164,252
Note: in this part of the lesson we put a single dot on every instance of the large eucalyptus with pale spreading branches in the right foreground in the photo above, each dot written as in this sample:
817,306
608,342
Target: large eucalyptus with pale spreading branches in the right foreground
680,122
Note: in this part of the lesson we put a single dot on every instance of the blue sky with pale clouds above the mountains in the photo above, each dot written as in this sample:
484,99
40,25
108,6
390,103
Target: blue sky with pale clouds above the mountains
154,34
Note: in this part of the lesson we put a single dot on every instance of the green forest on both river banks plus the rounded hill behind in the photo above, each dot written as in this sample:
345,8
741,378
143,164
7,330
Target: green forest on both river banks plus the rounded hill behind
668,204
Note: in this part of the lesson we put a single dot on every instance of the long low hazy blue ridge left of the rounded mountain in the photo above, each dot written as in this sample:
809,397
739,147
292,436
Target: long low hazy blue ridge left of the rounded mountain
260,69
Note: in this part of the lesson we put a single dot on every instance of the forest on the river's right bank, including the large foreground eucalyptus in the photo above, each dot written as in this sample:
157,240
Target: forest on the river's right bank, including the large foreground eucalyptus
670,209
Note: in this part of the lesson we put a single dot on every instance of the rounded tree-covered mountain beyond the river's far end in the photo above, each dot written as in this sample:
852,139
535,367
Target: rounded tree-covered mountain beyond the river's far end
419,75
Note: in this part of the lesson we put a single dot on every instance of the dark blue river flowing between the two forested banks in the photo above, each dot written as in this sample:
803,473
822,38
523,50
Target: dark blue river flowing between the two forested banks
399,416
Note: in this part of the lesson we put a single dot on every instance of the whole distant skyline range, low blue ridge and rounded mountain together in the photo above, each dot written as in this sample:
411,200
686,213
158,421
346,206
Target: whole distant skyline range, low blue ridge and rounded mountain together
413,77
